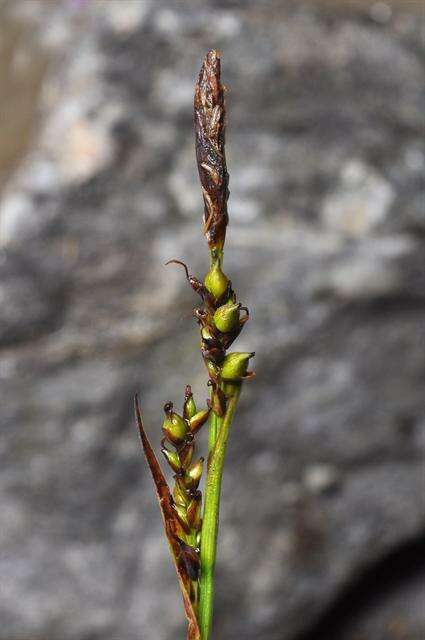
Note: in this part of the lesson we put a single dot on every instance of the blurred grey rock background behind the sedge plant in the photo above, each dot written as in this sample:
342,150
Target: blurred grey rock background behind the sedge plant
322,519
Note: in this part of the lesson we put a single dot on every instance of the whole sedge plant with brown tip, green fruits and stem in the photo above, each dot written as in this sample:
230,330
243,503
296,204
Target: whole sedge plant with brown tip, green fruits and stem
191,529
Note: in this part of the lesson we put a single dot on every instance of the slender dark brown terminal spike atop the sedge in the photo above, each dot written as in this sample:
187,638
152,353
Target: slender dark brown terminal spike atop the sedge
209,112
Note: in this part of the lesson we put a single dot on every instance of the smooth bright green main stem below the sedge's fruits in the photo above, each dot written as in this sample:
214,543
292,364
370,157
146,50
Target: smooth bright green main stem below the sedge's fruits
219,429
